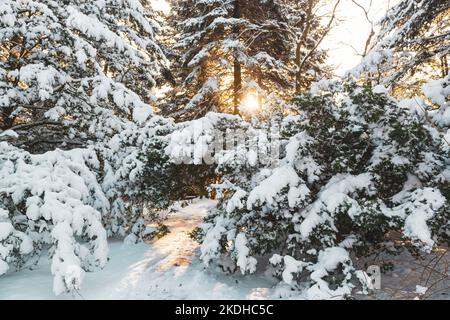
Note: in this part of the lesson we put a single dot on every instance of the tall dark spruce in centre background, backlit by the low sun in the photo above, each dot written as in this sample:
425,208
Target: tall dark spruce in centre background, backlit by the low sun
229,49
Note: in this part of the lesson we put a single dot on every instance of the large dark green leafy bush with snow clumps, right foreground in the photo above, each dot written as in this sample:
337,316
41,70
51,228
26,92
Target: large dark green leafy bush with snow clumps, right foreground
354,165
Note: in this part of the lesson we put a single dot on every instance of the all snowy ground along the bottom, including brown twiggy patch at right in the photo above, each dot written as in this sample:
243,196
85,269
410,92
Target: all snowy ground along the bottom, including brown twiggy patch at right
169,268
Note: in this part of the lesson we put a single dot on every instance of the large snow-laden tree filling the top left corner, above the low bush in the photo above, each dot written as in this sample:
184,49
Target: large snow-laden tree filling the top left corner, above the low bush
65,65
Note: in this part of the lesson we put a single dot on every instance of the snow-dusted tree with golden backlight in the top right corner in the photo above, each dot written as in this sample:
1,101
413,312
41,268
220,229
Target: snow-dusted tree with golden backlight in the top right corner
411,48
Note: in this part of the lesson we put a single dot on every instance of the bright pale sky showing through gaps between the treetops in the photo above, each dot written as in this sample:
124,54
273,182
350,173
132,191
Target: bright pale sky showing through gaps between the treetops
352,29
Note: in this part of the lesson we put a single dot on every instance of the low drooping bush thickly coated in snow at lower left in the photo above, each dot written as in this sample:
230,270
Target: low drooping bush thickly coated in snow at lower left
52,200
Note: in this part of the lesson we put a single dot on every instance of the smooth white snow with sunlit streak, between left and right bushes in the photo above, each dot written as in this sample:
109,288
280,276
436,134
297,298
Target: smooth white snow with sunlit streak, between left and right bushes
168,268
